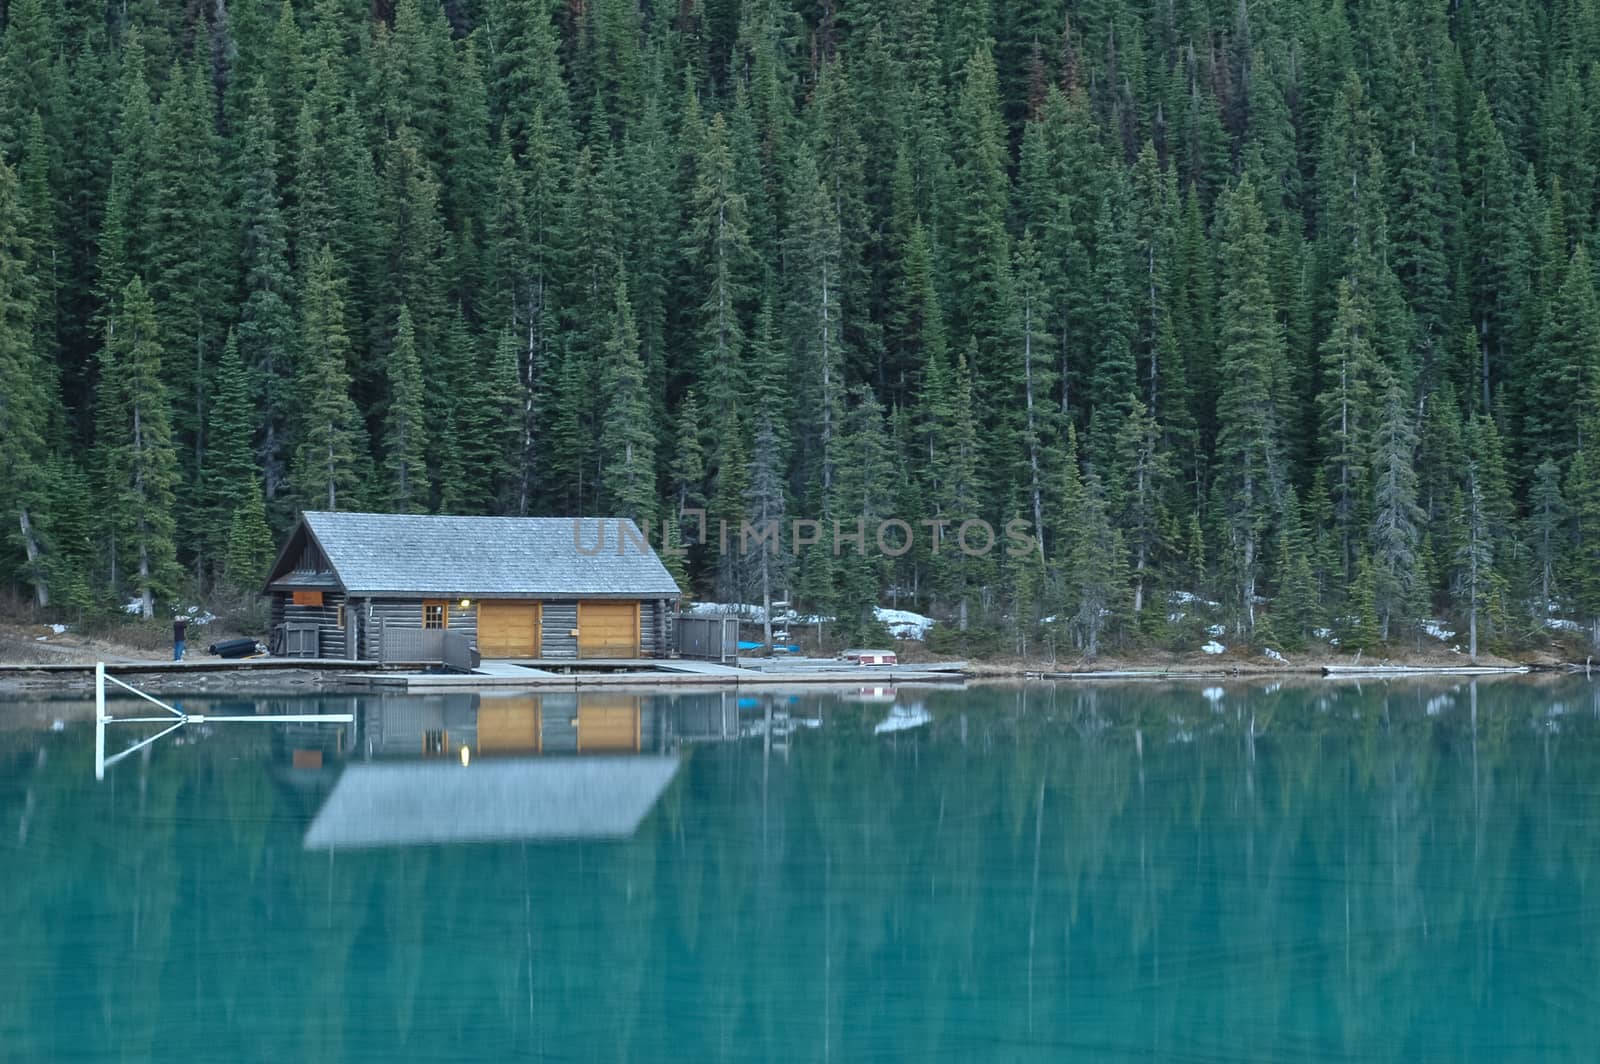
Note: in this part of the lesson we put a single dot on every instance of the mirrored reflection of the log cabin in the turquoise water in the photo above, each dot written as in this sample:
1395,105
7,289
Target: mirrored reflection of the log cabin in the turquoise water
524,767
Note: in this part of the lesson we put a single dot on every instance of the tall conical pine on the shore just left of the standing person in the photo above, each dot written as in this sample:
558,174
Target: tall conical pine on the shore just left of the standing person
138,455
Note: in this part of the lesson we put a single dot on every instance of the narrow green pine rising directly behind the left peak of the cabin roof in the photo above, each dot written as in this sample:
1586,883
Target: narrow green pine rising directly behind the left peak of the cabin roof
330,450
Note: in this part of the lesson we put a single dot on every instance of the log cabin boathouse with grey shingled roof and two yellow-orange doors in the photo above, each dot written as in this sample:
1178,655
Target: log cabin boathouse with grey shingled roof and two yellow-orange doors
522,588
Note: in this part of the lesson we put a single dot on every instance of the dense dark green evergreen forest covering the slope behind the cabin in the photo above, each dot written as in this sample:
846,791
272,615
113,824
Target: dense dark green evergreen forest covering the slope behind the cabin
1284,305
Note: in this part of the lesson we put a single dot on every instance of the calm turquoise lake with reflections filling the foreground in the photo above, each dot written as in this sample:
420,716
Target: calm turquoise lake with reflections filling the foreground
1049,873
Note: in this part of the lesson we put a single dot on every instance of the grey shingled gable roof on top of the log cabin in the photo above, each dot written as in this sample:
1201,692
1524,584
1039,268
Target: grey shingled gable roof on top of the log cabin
534,558
